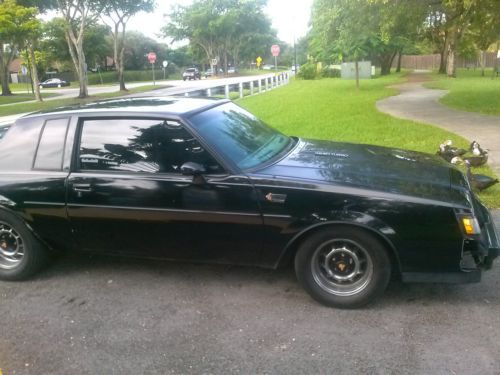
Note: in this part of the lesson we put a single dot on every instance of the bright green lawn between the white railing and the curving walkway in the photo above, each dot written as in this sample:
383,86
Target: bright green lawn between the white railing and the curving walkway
333,109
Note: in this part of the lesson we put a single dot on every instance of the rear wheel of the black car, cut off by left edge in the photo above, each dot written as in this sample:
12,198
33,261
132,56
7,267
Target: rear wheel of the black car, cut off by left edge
15,235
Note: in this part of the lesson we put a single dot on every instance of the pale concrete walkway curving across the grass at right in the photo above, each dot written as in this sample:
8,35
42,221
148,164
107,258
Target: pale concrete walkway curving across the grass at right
418,103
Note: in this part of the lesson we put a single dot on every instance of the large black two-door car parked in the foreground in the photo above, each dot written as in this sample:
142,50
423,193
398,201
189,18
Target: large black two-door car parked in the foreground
204,180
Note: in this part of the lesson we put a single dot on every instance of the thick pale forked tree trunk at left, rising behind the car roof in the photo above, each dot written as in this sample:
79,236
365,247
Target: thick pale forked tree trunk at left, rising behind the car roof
77,14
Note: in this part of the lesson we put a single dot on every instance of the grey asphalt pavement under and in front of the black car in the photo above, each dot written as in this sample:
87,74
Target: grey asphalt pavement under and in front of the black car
102,315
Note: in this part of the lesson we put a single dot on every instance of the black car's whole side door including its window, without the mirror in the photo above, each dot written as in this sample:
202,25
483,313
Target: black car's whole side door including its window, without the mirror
127,194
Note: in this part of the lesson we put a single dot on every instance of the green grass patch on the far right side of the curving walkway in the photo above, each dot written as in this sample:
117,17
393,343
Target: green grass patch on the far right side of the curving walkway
470,91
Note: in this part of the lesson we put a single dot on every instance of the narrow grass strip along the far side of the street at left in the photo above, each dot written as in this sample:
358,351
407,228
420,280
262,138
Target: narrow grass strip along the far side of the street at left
31,107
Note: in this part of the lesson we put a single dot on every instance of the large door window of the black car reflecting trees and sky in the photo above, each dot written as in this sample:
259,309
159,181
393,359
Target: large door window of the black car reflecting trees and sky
139,145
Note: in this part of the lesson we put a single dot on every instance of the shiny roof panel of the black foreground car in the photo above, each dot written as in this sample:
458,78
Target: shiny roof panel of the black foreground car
139,105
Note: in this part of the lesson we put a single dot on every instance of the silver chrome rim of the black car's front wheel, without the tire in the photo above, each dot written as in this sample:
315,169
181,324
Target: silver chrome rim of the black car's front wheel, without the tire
342,267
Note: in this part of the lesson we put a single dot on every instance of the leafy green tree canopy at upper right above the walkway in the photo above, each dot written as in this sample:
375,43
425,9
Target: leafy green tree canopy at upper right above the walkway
382,29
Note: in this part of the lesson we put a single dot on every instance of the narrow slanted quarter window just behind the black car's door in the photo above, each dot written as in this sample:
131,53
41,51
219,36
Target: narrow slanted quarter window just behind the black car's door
50,151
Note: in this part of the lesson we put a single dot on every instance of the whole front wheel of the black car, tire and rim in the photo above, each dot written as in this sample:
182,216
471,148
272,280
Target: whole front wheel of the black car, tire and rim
327,260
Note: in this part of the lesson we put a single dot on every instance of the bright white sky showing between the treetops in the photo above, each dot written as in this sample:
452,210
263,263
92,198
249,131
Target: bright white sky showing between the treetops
290,18
